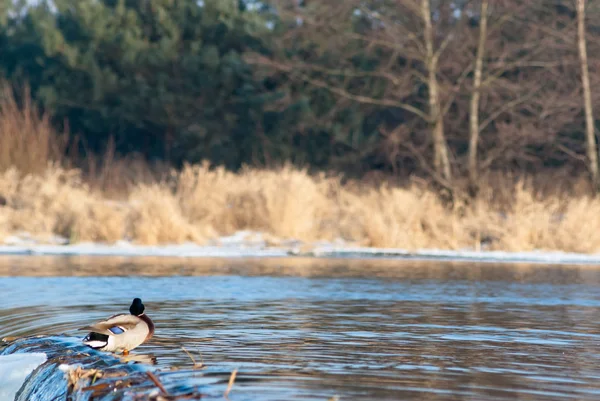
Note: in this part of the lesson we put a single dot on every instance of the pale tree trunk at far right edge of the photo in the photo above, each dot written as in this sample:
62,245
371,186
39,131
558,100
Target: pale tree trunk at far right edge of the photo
587,96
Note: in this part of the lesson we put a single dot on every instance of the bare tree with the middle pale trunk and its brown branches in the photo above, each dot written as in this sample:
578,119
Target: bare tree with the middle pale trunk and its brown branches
516,64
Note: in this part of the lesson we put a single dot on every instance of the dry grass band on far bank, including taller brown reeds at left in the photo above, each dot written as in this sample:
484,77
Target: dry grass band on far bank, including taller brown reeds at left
125,199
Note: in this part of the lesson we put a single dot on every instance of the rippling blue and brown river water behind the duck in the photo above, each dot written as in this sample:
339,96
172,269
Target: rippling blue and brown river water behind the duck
306,329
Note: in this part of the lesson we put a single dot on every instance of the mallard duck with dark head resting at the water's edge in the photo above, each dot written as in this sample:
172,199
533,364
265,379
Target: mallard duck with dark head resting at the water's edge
121,332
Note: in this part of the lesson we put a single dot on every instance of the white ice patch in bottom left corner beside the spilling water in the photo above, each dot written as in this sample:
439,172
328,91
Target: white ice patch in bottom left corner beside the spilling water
14,369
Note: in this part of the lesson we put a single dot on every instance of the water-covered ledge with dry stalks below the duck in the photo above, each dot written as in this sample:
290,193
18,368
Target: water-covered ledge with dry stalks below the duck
75,372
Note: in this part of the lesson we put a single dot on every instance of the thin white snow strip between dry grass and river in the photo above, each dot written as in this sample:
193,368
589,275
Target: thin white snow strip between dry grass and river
247,244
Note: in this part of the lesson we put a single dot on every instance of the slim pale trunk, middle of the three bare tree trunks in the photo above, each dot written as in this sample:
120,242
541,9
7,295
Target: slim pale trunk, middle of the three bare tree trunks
476,94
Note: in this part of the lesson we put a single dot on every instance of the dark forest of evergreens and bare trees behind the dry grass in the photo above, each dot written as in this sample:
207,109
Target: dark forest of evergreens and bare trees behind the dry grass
439,89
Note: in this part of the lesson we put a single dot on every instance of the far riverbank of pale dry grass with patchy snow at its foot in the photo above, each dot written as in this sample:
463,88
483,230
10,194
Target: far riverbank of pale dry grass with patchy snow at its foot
288,209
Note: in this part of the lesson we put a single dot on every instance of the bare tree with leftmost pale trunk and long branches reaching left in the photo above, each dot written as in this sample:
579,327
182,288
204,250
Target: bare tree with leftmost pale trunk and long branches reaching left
408,45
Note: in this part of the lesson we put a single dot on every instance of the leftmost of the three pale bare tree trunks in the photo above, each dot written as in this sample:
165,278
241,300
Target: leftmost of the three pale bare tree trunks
440,148
